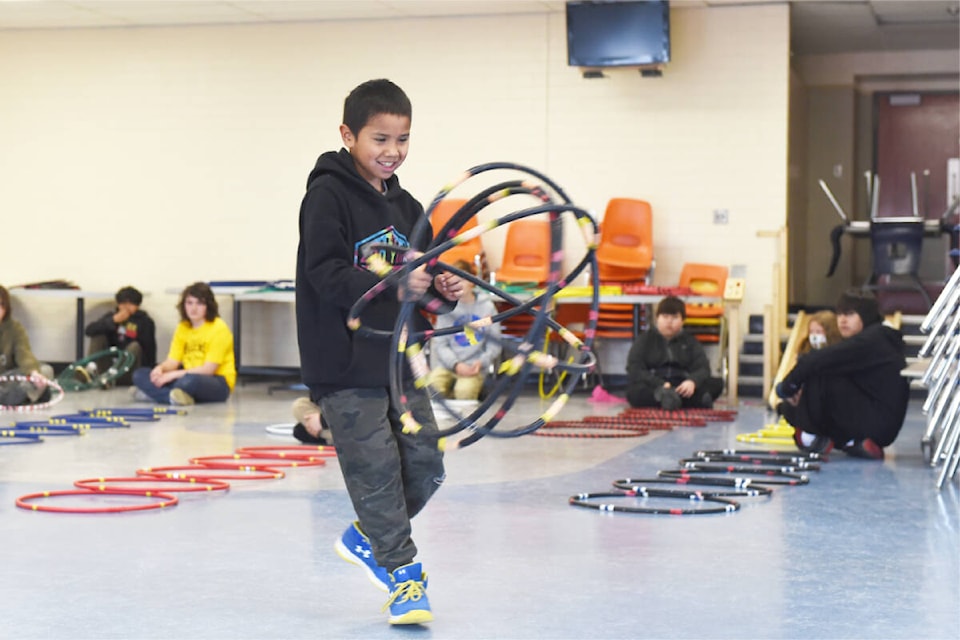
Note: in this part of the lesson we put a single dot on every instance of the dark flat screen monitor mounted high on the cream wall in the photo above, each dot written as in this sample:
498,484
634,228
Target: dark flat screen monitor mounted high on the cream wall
618,34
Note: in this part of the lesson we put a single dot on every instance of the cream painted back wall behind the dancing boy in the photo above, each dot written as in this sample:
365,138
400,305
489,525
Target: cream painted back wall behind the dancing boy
160,156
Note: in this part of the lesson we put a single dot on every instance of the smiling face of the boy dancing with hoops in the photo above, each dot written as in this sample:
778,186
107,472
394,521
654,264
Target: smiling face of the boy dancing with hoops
379,148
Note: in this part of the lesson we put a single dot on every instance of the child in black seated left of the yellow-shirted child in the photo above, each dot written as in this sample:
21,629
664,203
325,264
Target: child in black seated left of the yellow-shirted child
128,327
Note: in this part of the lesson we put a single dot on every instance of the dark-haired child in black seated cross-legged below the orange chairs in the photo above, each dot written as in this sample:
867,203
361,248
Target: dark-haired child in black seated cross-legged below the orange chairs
667,367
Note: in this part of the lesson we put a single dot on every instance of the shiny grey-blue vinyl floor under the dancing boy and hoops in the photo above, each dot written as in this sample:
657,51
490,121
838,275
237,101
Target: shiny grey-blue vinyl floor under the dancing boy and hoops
865,550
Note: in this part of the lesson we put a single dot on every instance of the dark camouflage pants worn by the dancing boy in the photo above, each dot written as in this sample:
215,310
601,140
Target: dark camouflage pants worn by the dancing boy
390,475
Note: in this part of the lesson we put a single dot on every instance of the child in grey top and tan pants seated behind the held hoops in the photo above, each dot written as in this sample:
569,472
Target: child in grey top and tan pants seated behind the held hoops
461,360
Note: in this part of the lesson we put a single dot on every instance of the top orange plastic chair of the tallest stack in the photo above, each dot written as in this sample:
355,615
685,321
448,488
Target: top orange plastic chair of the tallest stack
625,250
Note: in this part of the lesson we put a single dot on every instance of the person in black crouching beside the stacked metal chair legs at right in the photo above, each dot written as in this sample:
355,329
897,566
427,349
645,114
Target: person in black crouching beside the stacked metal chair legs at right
849,394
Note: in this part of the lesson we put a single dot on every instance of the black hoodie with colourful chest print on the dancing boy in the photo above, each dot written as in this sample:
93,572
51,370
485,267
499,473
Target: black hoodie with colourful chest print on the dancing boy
340,213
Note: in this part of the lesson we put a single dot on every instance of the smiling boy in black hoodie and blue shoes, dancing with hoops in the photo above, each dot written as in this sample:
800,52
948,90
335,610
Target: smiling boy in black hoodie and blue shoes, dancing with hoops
354,199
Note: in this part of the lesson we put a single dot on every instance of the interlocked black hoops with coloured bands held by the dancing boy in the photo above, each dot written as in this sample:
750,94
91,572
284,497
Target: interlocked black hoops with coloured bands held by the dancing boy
409,342
